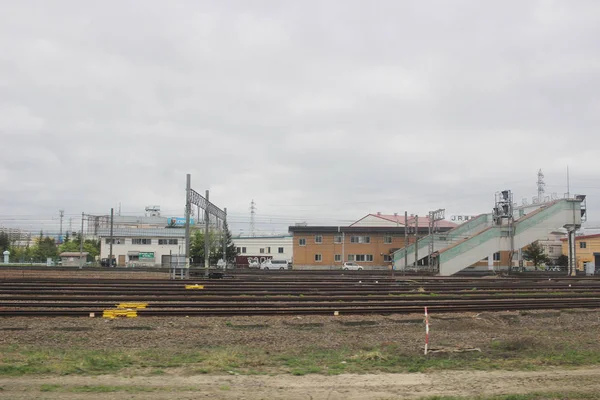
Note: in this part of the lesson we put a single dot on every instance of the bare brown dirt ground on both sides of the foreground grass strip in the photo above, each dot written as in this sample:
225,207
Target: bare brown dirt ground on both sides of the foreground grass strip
540,330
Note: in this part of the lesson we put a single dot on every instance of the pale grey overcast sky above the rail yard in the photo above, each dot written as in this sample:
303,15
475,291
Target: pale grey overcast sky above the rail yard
318,110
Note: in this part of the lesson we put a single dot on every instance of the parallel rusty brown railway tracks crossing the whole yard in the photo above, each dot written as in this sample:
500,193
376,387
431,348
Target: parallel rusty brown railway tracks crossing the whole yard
302,296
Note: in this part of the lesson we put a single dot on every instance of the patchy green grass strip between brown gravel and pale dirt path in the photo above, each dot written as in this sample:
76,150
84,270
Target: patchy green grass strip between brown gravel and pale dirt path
526,353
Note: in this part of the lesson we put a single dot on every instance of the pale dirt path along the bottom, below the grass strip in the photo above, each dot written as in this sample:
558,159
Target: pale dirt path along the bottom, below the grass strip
346,387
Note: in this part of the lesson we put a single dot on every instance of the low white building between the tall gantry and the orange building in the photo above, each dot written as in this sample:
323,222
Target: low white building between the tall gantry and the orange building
260,248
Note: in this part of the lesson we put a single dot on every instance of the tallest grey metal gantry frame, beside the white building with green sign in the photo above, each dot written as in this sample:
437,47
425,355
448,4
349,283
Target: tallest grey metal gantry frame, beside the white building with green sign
195,198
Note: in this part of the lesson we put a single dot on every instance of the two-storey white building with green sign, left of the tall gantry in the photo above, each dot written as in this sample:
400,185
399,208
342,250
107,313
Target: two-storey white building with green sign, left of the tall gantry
143,247
